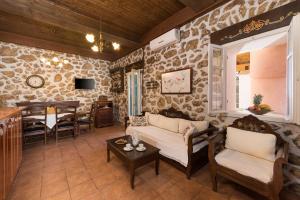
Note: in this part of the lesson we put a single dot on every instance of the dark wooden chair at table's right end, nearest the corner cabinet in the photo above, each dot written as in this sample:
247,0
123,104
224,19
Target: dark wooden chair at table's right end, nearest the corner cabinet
86,119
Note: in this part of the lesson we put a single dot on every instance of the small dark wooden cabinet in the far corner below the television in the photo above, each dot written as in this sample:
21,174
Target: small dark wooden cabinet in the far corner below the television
103,114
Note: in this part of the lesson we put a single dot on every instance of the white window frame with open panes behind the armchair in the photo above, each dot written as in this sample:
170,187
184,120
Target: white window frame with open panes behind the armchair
294,73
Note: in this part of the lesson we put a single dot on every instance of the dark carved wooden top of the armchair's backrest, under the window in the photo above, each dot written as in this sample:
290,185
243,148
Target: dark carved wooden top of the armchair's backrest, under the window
251,123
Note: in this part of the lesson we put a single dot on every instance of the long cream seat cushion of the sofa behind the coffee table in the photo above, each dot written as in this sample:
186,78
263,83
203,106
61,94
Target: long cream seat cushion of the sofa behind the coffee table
171,145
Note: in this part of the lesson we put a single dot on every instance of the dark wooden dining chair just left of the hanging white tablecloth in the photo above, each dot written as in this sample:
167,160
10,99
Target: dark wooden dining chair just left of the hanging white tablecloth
34,122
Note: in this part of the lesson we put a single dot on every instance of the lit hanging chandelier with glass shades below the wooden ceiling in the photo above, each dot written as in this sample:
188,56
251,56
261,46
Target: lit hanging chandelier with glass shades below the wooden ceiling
99,43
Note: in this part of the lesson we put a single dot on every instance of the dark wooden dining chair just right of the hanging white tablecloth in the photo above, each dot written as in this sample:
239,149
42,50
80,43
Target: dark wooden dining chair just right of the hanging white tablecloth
66,120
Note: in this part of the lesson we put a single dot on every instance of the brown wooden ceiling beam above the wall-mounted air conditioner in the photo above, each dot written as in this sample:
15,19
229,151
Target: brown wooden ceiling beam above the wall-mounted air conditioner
178,19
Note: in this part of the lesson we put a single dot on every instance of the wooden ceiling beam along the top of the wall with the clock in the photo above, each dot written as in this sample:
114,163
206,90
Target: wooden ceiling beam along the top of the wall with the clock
54,46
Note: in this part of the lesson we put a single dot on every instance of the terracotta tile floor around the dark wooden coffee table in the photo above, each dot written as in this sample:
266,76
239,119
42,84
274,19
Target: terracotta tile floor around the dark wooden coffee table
77,169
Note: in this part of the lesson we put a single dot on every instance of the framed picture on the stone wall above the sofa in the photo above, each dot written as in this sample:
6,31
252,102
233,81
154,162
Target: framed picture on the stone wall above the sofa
177,81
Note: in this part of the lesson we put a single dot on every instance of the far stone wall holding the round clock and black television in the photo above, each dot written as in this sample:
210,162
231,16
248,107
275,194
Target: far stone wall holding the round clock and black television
18,62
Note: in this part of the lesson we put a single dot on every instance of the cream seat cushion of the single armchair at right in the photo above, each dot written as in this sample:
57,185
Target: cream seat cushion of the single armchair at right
251,166
